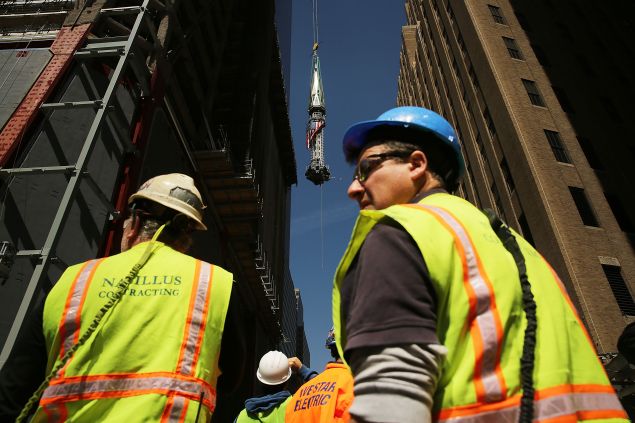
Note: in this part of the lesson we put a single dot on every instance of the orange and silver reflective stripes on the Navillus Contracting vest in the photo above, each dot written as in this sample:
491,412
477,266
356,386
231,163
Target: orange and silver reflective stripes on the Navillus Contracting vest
65,389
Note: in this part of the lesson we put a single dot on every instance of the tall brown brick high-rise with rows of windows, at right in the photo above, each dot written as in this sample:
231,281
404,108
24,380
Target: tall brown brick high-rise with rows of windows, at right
540,95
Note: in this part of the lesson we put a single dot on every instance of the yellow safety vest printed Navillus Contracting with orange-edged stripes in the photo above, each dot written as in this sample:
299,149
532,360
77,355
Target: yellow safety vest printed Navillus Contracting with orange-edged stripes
155,357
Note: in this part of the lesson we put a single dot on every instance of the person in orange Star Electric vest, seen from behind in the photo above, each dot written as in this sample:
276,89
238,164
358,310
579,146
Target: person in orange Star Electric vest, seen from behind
327,397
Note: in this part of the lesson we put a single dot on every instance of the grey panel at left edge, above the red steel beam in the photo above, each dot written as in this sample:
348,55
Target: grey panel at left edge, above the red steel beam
19,68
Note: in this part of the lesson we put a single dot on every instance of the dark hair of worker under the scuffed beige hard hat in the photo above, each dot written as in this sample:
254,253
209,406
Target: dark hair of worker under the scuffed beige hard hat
178,228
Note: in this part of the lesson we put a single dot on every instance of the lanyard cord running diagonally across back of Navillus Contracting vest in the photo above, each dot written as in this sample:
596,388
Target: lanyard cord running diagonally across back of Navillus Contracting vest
94,327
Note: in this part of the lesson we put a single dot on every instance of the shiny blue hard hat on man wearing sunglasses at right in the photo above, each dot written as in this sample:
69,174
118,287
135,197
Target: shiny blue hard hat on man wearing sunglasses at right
414,120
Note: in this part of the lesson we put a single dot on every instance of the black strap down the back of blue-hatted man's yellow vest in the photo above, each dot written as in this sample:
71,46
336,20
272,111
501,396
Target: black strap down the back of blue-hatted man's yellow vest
529,306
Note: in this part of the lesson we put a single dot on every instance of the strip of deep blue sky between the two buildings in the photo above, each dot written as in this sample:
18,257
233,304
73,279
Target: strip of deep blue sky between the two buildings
359,55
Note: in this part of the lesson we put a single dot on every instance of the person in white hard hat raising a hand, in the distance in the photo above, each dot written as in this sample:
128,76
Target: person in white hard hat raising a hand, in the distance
274,371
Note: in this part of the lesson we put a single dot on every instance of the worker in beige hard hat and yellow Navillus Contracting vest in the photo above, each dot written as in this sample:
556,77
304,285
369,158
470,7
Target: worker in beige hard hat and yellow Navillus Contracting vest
137,336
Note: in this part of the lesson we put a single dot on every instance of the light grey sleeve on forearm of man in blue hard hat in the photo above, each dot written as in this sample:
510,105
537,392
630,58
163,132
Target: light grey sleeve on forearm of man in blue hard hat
395,384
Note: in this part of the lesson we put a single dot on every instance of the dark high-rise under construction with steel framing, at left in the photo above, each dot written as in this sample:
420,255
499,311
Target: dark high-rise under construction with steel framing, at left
98,96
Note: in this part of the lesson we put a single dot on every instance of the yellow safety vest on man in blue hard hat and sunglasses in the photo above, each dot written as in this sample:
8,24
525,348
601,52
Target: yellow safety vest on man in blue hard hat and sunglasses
480,320
